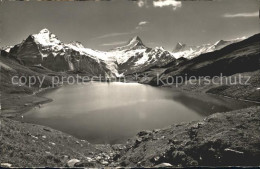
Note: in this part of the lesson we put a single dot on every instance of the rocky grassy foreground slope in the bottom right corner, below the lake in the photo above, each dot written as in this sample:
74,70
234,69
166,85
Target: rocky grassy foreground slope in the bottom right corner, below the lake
222,139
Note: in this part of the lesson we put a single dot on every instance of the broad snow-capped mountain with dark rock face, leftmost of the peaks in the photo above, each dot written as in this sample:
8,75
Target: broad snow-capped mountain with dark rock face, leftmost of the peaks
47,50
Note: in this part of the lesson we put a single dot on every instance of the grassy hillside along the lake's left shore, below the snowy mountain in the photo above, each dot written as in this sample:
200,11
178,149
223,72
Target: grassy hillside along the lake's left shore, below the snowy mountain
14,97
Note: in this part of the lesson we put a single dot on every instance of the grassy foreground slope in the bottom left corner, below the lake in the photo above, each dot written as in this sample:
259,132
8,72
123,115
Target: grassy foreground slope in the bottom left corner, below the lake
32,145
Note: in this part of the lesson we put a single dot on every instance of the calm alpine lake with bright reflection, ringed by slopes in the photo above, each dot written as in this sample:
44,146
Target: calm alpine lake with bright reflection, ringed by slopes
113,112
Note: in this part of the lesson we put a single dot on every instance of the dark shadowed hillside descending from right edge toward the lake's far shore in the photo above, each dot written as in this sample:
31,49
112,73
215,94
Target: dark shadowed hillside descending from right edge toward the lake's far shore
238,57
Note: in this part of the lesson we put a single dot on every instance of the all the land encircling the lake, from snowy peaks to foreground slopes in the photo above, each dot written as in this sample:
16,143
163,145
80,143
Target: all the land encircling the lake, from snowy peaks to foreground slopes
217,137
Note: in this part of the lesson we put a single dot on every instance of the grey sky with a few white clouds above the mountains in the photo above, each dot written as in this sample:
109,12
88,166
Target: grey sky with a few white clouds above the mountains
103,25
